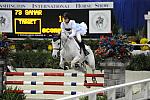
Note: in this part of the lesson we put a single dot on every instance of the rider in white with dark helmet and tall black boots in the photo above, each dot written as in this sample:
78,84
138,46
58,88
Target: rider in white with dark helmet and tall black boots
75,30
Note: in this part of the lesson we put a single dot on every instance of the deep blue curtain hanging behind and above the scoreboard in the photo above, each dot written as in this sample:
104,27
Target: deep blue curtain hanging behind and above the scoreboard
129,14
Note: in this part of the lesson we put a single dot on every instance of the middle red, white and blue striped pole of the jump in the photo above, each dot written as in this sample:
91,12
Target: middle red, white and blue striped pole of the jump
53,83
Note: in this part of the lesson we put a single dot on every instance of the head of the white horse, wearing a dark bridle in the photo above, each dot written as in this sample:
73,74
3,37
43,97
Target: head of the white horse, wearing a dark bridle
56,46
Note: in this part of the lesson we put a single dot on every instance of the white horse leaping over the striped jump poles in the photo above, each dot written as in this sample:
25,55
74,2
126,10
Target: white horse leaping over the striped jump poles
70,52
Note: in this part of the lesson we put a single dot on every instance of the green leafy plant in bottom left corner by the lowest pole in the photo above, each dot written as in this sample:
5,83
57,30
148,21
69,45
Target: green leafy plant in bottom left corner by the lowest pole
12,96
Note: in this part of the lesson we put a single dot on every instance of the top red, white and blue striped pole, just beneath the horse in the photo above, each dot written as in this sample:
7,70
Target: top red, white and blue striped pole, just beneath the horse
51,74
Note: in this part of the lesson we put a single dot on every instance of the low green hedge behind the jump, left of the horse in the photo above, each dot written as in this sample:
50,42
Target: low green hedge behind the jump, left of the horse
34,60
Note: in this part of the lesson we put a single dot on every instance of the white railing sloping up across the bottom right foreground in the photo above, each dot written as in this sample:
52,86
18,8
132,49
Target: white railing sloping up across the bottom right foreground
144,94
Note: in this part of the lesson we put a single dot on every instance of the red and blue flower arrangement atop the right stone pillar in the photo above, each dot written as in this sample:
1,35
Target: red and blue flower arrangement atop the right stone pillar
115,46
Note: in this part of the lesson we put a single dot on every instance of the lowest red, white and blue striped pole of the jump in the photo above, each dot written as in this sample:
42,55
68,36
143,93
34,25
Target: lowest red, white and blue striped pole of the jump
46,92
